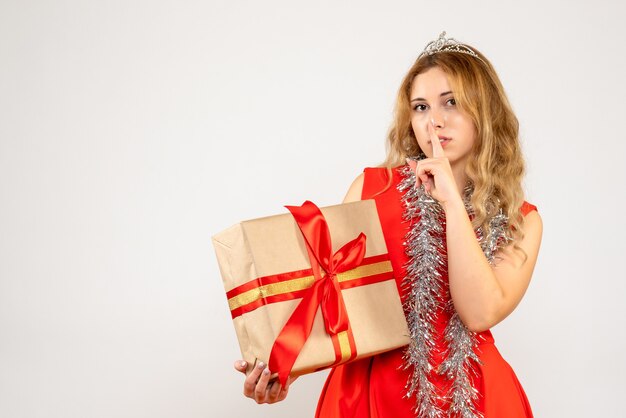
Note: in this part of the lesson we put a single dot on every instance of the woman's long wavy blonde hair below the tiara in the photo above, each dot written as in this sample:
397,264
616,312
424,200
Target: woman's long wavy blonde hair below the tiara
496,167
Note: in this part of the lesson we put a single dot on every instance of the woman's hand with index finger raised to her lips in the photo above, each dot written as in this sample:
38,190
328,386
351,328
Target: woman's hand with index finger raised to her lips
435,173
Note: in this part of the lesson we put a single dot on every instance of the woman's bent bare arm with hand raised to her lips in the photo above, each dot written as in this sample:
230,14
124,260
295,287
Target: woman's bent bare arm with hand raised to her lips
483,295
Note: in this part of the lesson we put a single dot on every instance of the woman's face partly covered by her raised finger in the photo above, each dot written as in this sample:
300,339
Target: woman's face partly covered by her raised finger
432,100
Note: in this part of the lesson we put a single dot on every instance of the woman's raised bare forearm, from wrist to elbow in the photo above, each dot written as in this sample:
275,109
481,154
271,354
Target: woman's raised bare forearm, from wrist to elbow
474,289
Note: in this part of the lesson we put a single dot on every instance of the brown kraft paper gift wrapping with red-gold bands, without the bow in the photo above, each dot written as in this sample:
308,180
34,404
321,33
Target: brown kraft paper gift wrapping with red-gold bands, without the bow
267,247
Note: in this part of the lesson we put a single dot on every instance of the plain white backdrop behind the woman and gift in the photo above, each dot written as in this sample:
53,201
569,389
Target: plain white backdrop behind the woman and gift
131,131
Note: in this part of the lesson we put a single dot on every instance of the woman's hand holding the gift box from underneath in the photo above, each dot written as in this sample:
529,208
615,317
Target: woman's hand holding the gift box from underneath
257,385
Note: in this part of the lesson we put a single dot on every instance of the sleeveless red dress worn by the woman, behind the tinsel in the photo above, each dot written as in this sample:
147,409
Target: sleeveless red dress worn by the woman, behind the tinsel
375,387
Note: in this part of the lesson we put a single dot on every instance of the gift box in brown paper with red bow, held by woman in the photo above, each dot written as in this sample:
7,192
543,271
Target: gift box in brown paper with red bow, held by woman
299,306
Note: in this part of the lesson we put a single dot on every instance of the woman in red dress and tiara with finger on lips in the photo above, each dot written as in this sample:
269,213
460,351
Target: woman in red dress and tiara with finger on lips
463,244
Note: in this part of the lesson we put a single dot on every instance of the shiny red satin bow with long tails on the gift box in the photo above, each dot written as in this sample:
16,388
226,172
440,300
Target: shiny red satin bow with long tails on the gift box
325,290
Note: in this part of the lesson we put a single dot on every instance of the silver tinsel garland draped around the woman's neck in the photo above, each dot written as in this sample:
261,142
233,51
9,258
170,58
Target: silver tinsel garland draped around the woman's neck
429,297
